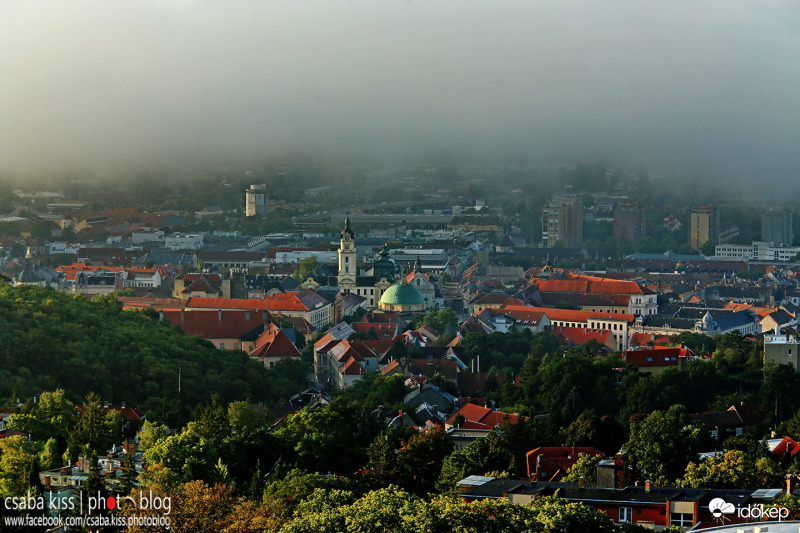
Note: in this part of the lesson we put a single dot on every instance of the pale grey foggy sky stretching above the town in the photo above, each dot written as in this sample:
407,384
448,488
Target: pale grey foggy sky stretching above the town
711,87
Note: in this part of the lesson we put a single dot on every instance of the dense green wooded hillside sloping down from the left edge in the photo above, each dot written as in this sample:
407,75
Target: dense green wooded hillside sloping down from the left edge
51,340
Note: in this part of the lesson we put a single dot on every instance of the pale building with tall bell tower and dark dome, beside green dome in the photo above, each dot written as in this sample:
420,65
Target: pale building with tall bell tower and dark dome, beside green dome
384,272
